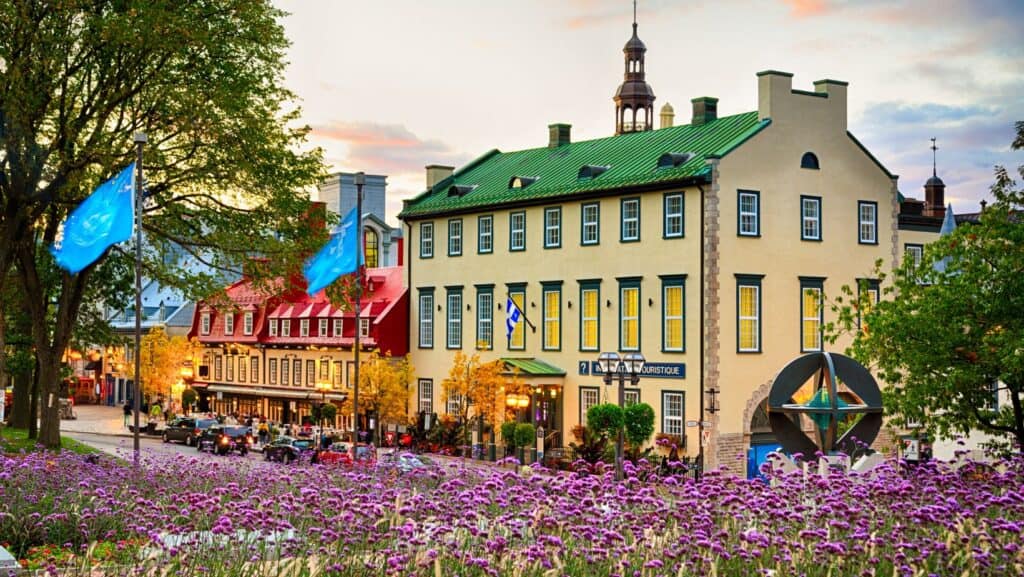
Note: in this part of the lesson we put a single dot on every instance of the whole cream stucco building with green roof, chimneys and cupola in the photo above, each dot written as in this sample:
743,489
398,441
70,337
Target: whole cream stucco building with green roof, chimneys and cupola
707,248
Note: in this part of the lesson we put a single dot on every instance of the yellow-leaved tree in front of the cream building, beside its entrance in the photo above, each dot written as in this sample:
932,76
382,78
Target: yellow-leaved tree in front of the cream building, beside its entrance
472,382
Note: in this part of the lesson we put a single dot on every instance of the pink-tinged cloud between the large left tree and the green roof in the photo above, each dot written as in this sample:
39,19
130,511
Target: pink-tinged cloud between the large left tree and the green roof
385,149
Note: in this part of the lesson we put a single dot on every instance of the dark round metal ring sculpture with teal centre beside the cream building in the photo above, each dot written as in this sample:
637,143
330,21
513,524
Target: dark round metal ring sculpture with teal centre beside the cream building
825,407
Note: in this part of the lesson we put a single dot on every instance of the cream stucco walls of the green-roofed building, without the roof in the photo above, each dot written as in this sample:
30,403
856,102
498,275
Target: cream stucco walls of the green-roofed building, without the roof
806,231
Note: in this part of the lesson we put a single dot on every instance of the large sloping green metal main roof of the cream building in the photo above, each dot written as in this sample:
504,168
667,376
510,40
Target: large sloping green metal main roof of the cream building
632,161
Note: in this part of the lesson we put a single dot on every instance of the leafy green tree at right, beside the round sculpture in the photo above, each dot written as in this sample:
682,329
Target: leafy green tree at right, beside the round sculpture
950,339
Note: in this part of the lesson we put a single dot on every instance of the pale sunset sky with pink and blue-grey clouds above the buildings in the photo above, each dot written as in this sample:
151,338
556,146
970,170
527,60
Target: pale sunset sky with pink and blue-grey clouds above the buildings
390,87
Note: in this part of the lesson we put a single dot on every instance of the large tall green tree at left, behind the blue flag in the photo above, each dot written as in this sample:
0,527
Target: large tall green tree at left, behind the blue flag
226,173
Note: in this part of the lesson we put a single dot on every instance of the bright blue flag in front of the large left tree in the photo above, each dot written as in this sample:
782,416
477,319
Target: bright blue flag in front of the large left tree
103,220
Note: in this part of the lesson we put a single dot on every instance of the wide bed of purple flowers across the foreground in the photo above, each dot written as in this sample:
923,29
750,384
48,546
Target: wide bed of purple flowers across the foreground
320,521
